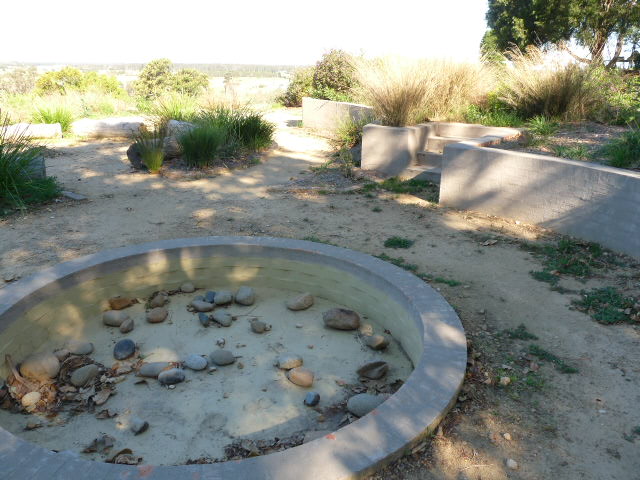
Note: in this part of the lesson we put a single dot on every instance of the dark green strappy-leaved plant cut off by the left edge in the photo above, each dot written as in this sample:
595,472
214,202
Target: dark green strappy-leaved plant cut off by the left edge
18,186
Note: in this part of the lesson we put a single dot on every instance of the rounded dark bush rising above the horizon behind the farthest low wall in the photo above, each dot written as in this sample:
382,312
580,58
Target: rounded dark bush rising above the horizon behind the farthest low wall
334,74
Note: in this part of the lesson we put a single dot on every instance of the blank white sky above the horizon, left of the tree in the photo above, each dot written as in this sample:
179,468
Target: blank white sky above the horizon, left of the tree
236,31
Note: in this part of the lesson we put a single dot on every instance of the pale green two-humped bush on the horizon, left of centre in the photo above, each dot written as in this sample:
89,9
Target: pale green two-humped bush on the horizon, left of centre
156,78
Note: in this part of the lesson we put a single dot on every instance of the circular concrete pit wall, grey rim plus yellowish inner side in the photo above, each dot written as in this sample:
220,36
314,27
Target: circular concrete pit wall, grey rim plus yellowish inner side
54,304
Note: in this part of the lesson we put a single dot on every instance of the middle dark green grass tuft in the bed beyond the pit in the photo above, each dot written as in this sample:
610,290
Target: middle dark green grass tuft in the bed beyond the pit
201,145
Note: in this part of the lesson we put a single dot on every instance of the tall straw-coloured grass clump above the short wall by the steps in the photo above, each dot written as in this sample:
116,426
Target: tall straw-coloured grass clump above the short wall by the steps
405,92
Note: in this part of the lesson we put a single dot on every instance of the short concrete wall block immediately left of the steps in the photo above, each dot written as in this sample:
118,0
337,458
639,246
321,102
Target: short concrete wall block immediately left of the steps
389,150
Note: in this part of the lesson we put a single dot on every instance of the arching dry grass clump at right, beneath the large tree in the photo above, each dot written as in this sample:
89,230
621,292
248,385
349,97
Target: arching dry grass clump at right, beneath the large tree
535,84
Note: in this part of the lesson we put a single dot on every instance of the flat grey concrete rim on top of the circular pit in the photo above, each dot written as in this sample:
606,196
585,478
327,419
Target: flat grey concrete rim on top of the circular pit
355,450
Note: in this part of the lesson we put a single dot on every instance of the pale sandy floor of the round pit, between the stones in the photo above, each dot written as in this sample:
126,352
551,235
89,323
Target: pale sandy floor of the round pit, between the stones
208,411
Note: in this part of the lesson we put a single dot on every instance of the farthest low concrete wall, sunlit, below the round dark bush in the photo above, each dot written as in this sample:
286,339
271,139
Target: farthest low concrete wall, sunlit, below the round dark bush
325,116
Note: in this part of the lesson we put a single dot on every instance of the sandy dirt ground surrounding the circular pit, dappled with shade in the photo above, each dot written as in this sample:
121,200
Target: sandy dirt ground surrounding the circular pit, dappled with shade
578,426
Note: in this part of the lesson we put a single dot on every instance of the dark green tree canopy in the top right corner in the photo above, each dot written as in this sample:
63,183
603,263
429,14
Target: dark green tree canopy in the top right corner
592,24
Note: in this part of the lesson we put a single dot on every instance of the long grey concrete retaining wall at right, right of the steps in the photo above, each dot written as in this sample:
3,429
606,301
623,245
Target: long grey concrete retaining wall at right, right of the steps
593,202
